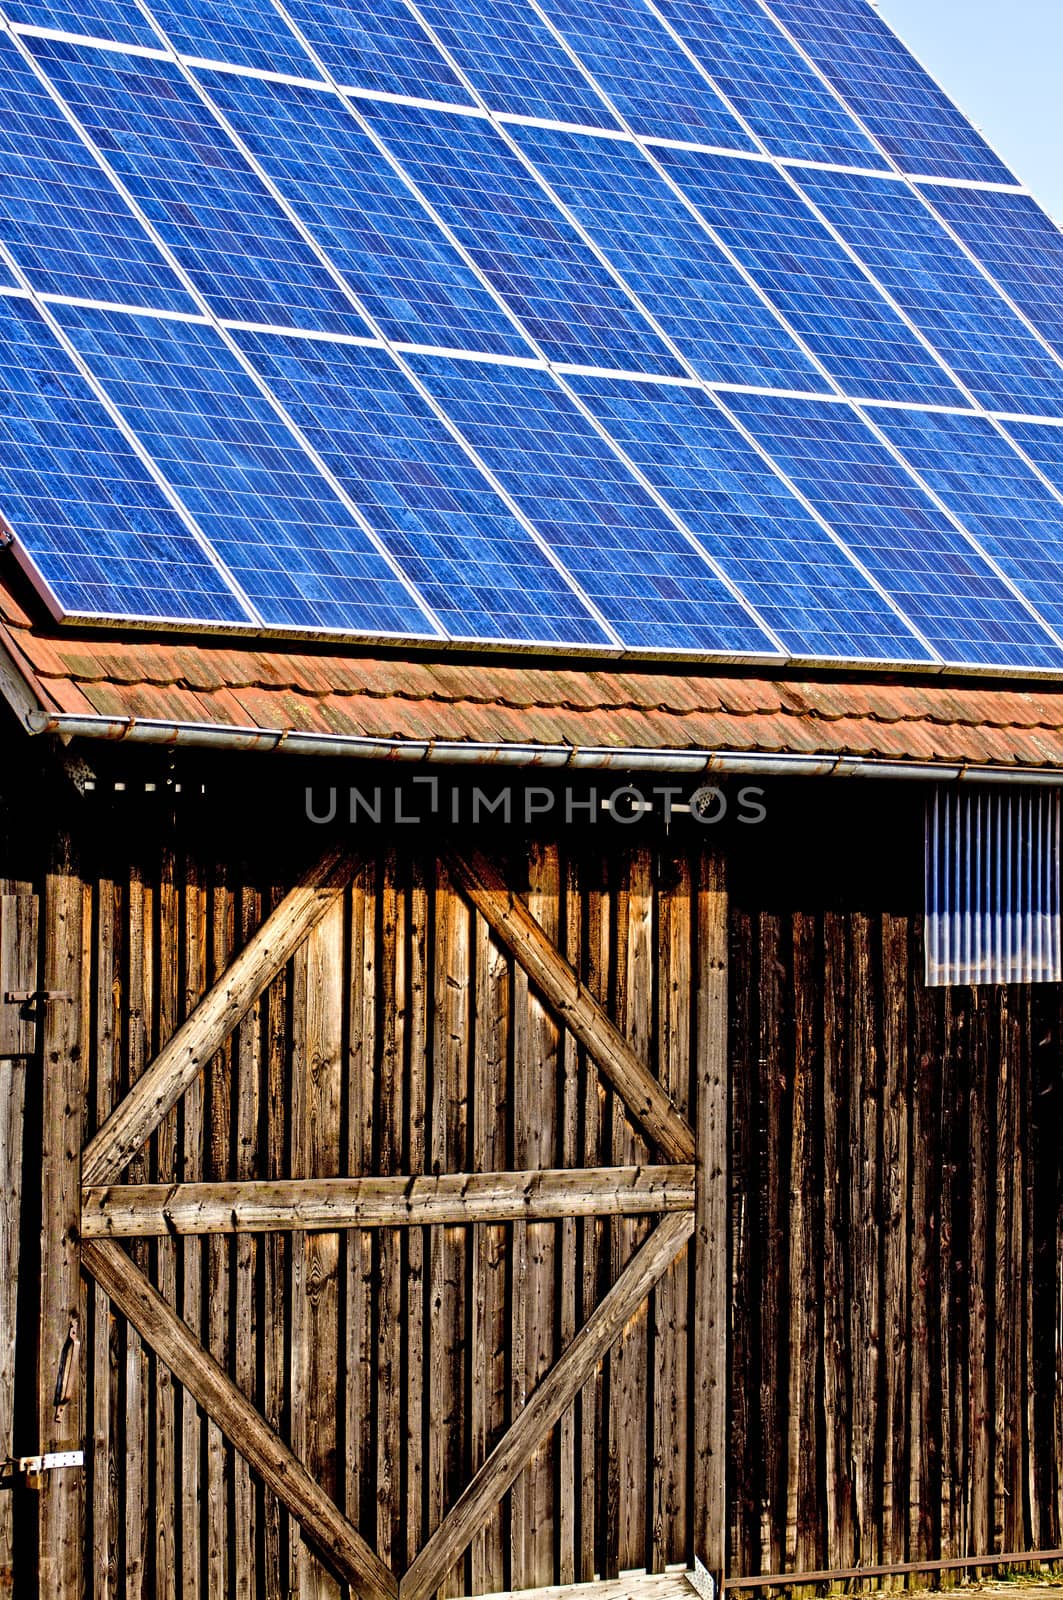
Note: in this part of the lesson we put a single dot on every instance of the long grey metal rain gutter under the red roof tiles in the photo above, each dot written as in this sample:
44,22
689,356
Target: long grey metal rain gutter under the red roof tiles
465,753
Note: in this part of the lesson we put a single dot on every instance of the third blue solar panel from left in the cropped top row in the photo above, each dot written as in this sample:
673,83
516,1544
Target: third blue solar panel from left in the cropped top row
379,46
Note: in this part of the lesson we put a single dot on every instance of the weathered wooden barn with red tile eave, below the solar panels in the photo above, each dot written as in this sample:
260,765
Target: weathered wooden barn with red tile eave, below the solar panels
476,1126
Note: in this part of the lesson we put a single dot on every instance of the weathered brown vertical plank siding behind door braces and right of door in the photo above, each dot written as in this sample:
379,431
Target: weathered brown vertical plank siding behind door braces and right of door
894,1258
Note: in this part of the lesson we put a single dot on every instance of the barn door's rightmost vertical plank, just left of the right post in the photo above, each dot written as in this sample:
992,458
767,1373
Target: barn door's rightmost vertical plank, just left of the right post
670,1359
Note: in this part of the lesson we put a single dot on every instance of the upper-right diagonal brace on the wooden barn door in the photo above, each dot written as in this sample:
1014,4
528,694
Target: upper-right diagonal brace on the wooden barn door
576,1007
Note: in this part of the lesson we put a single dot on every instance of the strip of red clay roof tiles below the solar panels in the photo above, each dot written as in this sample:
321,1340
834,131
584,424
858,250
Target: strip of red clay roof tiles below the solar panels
297,689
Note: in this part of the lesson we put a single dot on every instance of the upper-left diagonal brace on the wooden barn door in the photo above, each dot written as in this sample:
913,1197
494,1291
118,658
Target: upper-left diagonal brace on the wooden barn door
215,1018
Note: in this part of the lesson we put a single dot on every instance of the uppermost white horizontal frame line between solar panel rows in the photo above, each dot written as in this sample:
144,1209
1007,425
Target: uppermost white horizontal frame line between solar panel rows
516,119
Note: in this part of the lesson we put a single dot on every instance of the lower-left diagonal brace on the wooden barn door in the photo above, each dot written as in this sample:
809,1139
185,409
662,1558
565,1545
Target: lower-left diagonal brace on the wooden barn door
177,1346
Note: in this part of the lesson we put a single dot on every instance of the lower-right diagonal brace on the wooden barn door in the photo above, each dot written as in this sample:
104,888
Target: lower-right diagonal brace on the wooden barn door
547,1406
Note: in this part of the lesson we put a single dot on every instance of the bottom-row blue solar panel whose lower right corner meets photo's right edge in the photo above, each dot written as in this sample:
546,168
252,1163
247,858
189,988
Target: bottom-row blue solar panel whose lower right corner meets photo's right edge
910,546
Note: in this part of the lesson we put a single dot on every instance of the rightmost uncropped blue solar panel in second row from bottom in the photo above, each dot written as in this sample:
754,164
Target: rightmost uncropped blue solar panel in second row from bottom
808,274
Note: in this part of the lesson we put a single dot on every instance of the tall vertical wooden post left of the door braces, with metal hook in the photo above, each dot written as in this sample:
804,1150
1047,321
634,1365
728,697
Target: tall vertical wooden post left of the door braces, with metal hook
62,1529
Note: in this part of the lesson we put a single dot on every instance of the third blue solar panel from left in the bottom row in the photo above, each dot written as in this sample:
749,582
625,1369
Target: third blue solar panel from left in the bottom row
452,534
